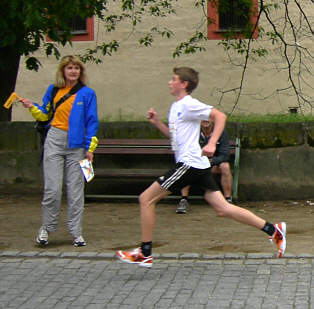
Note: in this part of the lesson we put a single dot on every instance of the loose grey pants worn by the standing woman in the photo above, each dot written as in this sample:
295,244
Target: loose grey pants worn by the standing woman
59,161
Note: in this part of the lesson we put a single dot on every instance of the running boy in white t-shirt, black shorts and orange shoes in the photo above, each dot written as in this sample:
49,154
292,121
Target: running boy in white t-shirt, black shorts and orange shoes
192,168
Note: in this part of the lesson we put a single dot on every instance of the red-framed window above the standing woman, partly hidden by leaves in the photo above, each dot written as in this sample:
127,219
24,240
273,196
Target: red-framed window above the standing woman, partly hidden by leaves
82,29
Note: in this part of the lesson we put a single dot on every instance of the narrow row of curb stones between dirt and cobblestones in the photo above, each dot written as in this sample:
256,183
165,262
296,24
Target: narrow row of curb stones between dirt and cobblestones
161,256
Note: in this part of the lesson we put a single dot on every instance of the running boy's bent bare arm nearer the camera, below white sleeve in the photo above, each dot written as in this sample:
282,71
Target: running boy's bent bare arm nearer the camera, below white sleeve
219,120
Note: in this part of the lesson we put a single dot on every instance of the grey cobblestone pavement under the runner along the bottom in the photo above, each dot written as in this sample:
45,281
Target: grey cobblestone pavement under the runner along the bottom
90,280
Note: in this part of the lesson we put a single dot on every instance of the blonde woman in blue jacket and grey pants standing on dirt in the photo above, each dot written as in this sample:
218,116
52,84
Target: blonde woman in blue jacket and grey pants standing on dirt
71,137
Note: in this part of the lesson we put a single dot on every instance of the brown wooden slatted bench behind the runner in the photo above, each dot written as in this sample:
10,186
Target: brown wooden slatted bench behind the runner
149,147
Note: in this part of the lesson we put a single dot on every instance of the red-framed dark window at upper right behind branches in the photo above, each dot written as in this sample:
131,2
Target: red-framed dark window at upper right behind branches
230,15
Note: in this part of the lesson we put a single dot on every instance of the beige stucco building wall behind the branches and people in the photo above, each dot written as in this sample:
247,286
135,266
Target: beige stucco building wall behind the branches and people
135,78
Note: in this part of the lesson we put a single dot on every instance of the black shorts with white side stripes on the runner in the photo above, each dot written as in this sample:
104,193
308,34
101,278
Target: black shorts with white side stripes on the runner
183,175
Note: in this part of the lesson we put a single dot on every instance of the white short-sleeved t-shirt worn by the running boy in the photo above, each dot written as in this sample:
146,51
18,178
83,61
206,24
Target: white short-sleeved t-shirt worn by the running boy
184,121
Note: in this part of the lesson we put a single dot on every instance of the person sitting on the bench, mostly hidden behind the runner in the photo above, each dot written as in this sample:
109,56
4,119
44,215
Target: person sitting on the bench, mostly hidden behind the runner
219,162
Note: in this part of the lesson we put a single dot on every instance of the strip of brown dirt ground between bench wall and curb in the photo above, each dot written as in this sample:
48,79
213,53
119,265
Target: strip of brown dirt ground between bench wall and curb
111,226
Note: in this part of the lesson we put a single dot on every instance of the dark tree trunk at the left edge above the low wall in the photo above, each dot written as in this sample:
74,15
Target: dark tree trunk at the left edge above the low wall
9,66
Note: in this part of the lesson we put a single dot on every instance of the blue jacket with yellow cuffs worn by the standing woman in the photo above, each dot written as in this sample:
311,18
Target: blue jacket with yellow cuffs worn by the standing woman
82,122
